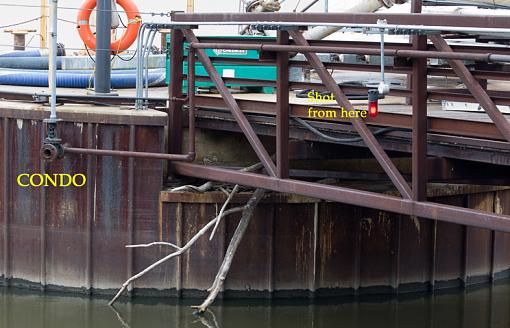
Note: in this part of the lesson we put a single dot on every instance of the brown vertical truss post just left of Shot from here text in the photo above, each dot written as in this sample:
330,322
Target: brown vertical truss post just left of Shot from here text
282,105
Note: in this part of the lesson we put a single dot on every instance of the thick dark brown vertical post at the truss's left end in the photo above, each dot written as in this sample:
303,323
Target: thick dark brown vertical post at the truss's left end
175,92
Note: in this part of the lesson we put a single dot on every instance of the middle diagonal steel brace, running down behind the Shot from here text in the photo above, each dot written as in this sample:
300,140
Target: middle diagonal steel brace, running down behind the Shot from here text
360,126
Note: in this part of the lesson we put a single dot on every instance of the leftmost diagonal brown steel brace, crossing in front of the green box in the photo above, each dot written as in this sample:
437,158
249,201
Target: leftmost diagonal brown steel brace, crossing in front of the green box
229,99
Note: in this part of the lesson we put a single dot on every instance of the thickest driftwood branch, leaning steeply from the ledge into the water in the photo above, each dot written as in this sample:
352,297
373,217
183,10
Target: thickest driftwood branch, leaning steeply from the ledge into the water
217,285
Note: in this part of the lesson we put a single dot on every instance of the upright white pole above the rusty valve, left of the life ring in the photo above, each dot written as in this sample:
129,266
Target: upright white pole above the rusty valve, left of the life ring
52,76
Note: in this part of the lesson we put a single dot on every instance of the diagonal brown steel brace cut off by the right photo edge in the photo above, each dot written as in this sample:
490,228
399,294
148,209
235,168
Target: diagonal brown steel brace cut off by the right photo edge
474,87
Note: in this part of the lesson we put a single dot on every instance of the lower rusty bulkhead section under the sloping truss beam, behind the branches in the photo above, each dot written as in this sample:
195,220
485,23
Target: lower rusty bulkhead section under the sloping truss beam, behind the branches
297,246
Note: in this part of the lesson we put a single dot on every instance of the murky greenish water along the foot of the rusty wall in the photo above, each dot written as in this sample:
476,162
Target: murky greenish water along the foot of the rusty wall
477,308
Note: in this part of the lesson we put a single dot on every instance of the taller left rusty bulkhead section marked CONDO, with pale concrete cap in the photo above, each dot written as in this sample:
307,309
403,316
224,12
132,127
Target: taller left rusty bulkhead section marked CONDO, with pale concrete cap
74,238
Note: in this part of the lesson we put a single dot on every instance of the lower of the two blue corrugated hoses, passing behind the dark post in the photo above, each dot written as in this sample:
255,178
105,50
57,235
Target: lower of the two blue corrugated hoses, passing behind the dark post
121,79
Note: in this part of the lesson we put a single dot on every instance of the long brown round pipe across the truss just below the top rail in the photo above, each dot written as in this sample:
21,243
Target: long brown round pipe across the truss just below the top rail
488,57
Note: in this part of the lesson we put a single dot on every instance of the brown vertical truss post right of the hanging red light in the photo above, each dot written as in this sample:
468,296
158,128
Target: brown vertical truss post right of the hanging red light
419,120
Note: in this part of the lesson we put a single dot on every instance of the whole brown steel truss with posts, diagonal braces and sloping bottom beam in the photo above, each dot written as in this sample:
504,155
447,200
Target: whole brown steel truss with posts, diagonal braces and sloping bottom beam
413,59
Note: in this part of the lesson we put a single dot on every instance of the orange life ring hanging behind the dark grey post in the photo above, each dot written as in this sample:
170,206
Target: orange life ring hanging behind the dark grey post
118,45
